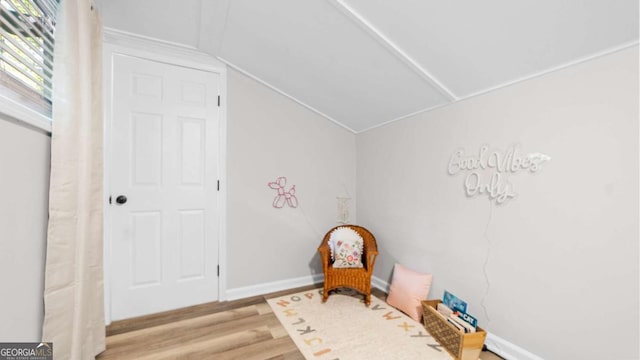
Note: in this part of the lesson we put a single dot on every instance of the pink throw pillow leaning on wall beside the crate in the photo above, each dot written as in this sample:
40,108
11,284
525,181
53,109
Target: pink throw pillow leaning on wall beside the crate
408,289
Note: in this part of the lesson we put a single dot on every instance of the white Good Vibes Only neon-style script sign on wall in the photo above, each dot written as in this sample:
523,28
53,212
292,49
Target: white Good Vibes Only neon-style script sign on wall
487,171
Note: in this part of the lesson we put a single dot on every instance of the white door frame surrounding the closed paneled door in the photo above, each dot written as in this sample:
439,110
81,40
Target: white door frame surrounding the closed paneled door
121,43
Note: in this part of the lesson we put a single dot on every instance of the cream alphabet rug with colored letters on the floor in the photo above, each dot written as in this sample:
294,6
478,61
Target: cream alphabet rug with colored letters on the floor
344,328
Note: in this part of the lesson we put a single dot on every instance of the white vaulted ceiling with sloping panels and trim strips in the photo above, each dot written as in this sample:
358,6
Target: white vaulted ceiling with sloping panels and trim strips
363,63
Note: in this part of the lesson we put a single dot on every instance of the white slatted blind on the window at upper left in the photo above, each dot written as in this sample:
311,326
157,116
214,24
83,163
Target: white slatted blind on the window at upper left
26,49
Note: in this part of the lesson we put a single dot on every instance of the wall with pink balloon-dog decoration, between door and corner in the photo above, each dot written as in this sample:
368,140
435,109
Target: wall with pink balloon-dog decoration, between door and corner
269,136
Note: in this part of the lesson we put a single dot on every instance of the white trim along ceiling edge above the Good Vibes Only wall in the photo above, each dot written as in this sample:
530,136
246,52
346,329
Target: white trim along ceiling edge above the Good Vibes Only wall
510,83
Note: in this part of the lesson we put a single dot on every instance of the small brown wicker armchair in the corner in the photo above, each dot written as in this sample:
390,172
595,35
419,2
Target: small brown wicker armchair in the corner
358,279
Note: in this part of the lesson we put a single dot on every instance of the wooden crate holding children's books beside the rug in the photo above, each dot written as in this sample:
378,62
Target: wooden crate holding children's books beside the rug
460,345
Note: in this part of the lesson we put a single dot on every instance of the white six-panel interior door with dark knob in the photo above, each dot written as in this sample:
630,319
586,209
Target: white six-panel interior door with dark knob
164,242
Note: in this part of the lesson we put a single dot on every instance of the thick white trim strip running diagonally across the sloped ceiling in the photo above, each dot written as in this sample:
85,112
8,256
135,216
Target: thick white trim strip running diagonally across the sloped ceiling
394,49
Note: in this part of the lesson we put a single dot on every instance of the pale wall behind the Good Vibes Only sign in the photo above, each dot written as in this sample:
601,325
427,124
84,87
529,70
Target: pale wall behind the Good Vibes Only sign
562,258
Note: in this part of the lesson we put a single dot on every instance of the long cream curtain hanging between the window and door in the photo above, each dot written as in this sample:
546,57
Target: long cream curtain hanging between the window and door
73,294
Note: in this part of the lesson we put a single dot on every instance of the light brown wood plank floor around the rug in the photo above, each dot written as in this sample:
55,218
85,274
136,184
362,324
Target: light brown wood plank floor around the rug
244,329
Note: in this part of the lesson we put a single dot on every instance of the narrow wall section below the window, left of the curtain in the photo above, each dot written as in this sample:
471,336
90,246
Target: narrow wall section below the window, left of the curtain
24,187
